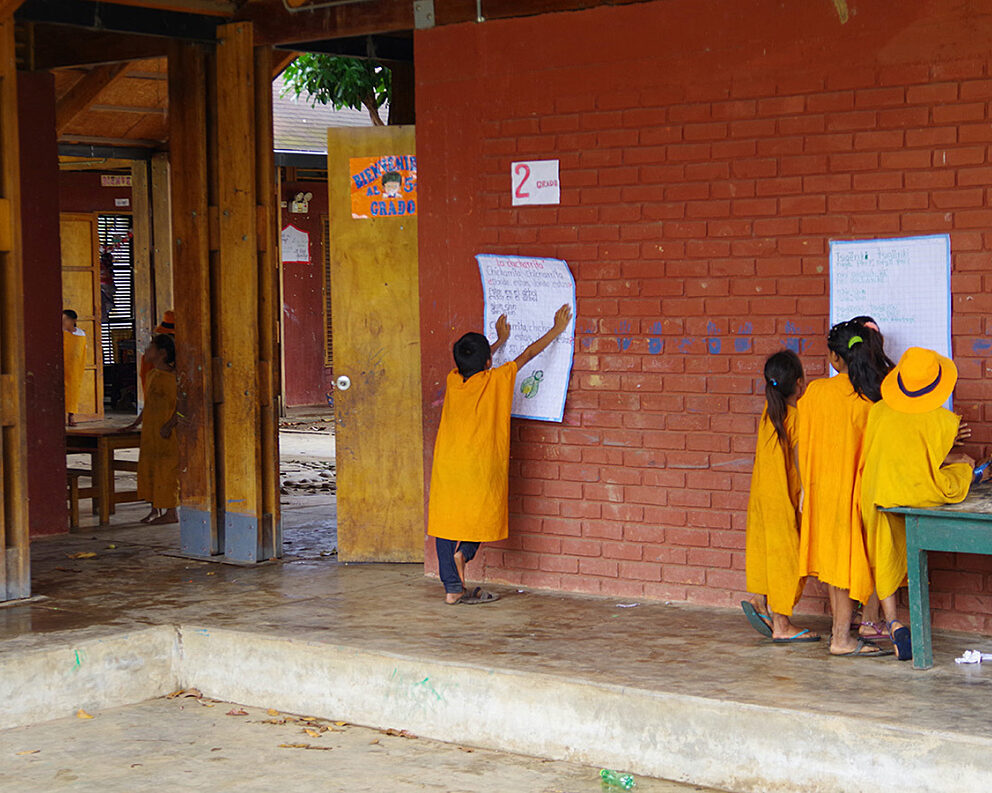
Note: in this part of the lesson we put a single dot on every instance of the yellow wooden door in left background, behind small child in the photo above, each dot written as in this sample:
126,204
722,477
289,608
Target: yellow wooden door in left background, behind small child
81,293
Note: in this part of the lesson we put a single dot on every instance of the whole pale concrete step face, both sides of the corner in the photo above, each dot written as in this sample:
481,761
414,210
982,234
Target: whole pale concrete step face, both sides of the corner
715,740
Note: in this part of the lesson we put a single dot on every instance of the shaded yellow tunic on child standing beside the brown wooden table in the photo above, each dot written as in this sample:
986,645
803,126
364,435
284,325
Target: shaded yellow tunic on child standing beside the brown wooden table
158,461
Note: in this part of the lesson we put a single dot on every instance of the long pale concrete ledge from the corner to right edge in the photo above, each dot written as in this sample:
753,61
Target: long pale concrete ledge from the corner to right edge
709,742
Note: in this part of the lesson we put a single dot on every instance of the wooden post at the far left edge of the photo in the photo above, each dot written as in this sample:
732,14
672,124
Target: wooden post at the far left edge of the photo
15,571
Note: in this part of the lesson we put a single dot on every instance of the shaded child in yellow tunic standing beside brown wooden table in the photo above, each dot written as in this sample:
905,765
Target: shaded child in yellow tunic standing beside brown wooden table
158,460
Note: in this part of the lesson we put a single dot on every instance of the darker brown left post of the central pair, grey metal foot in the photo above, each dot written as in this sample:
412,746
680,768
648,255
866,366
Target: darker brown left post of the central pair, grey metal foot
199,526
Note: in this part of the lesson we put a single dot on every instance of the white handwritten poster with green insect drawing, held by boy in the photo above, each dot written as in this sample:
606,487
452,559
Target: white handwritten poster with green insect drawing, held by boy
529,291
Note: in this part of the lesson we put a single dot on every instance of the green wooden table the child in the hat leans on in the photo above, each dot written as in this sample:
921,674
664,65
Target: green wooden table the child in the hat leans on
960,528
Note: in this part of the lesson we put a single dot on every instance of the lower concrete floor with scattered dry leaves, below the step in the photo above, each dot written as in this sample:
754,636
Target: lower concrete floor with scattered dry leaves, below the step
192,745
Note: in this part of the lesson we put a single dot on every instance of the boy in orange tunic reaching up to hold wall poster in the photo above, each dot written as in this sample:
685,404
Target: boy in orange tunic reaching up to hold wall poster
470,476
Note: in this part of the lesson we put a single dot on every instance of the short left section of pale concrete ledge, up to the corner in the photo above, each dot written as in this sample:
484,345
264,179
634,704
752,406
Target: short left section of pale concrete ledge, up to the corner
90,673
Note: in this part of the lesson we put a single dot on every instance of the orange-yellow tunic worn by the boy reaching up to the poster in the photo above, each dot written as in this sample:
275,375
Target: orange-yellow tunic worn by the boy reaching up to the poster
470,476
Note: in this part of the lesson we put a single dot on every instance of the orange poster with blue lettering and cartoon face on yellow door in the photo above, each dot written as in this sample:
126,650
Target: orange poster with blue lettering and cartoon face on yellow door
383,186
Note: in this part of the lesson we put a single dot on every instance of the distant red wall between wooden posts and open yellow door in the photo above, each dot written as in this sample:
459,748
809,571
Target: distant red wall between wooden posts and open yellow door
303,304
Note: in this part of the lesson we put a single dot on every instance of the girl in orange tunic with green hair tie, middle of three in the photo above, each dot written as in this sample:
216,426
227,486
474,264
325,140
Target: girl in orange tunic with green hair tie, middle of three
832,417
